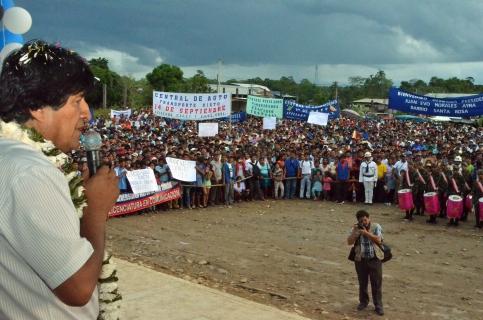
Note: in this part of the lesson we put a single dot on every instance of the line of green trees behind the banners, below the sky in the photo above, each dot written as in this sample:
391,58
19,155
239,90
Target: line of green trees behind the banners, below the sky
127,91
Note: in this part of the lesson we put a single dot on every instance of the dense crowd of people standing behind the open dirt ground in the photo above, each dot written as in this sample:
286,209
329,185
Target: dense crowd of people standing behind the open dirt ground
349,160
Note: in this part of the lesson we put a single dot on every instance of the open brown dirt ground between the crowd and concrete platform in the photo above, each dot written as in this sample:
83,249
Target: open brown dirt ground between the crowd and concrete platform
293,255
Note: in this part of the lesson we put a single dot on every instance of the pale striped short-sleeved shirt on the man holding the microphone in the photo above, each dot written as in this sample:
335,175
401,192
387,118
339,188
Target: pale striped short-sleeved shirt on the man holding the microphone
40,245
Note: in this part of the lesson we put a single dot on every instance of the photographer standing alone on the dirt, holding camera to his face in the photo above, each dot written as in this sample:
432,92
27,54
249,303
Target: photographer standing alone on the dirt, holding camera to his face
366,240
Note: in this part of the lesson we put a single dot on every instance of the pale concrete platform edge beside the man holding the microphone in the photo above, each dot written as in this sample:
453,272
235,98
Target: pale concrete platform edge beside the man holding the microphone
149,294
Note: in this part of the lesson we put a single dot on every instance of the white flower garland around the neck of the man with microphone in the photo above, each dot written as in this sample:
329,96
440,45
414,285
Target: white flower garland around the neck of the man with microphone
109,297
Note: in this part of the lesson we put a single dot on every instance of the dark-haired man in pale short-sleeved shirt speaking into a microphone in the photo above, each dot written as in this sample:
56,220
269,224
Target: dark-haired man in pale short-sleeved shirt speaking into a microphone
50,260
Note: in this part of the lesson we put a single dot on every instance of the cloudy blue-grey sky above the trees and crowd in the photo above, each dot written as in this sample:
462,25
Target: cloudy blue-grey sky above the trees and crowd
272,38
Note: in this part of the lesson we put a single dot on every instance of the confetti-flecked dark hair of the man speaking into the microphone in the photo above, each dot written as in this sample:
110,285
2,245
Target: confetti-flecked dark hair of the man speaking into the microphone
41,75
